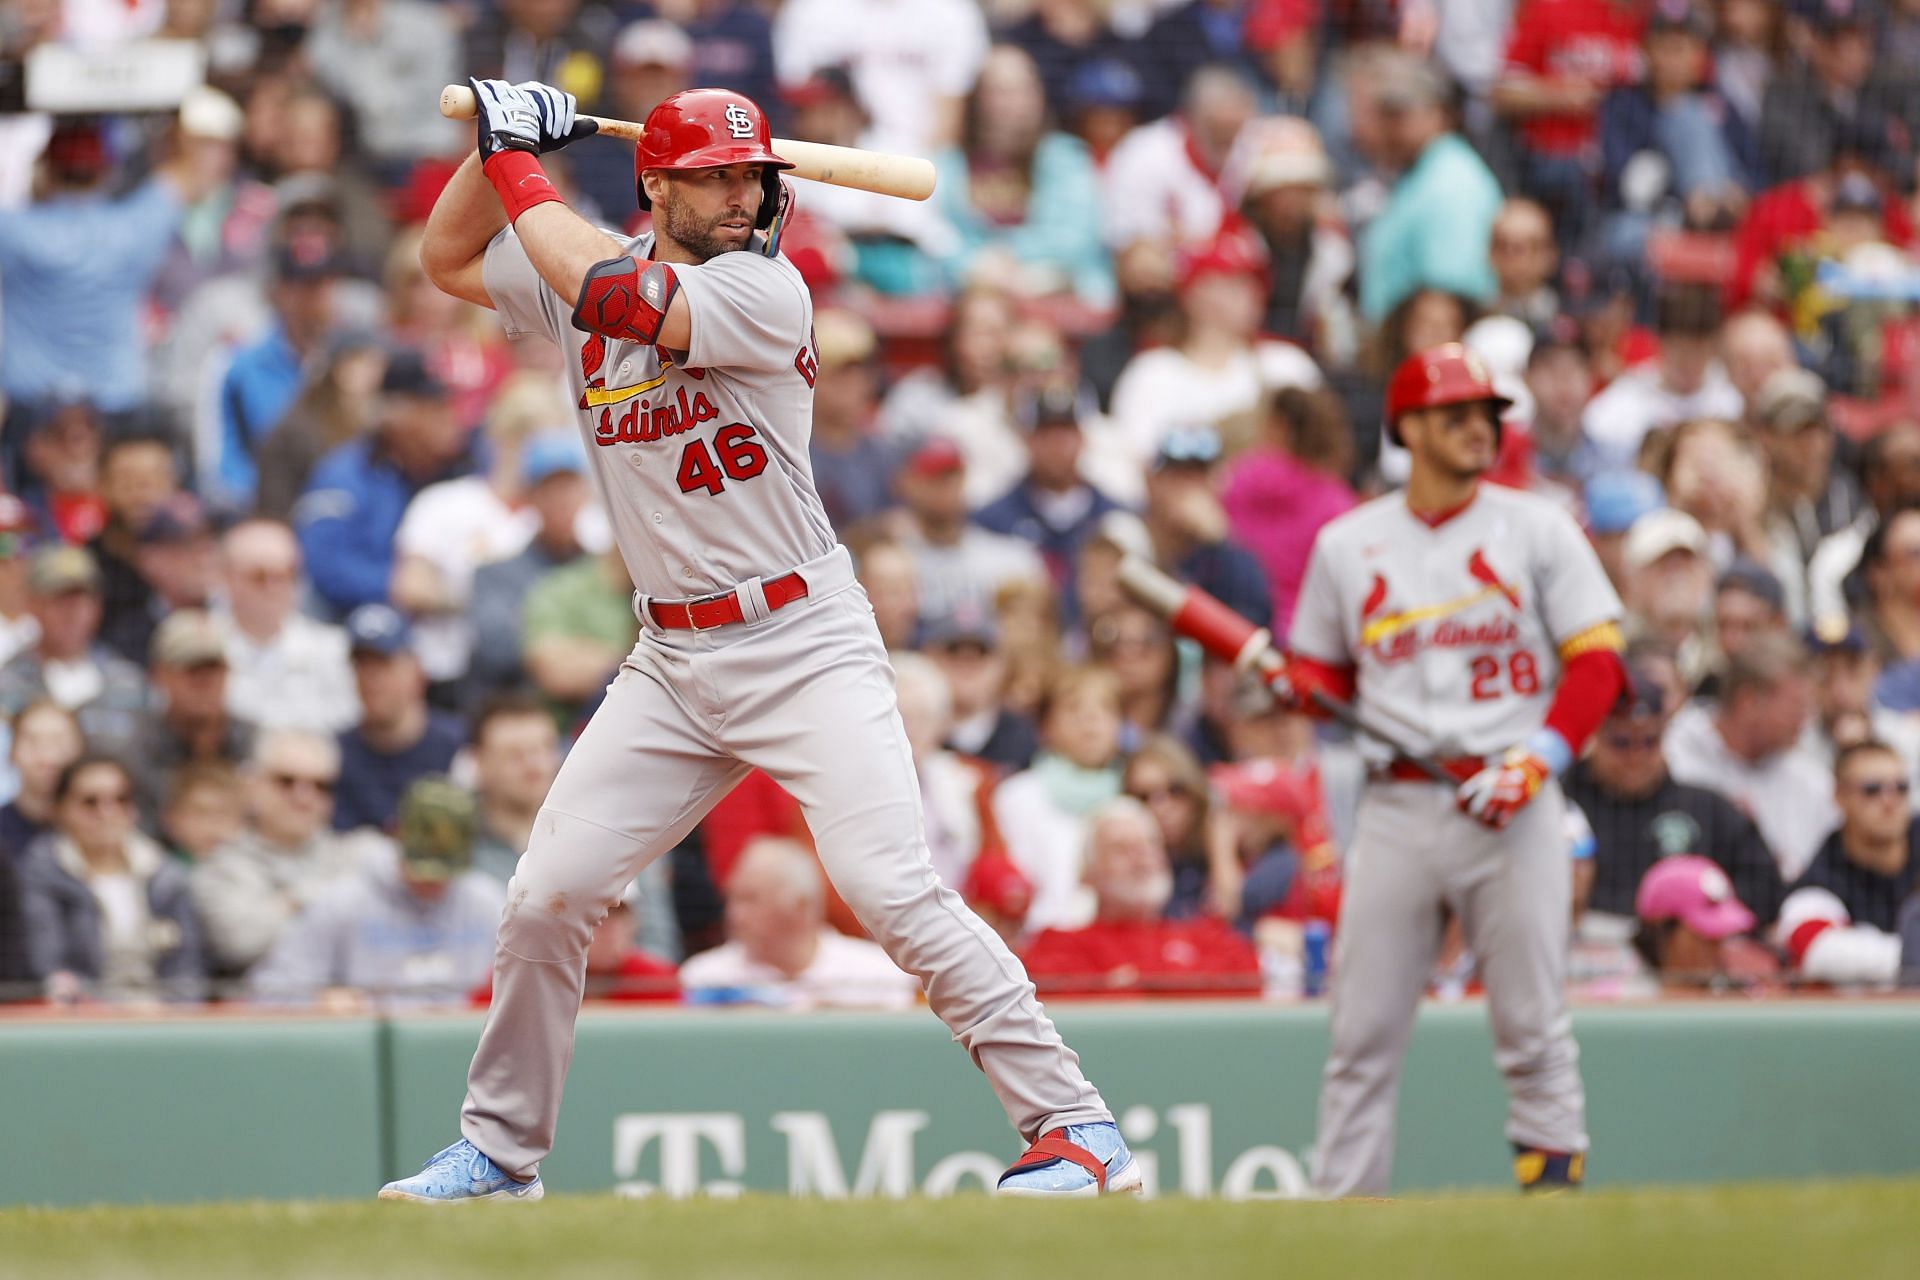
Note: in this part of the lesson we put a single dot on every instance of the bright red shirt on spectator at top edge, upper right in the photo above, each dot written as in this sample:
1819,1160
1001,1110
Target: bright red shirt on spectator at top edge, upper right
1595,41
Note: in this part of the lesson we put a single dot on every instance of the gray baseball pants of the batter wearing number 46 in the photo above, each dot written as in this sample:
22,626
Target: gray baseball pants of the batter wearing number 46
807,696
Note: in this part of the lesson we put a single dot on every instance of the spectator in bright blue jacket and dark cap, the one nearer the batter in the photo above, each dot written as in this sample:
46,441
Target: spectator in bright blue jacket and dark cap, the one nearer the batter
358,494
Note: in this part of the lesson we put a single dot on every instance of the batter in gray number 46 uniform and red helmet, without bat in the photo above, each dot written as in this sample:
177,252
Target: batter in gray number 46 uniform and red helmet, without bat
692,366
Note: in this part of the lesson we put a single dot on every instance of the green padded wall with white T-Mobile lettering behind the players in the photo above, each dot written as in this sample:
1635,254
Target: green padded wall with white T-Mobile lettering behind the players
1218,1101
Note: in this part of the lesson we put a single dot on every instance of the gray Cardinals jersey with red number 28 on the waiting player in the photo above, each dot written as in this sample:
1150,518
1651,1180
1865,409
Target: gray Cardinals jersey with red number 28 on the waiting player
1452,627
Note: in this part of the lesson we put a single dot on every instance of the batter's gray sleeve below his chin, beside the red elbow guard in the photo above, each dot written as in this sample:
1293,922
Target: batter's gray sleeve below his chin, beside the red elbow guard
750,312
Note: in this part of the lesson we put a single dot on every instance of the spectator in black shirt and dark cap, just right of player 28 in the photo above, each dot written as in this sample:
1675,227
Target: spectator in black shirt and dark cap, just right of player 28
1641,815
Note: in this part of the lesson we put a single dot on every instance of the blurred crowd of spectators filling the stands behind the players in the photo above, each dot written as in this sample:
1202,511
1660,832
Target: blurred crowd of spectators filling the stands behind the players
304,590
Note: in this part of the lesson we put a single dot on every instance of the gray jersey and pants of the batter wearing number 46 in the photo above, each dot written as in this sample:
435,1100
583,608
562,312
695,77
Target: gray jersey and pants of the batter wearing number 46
702,462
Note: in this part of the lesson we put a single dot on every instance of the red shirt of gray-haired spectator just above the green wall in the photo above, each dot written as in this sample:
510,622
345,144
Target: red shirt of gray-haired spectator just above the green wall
1145,959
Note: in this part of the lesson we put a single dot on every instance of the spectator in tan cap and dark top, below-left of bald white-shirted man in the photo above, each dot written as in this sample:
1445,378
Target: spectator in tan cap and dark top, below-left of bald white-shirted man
189,723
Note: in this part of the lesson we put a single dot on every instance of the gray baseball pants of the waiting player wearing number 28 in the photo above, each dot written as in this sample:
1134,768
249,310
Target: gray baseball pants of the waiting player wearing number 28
1512,891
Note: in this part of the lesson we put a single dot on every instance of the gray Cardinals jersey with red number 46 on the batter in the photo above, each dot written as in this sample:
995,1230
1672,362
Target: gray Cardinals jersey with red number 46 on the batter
700,456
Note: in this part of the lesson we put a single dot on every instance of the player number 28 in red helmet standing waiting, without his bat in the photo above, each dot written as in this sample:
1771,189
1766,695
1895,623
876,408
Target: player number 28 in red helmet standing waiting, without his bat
1485,617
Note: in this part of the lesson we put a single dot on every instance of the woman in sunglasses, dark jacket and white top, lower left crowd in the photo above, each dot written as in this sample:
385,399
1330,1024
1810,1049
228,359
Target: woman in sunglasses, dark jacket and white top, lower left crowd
108,913
